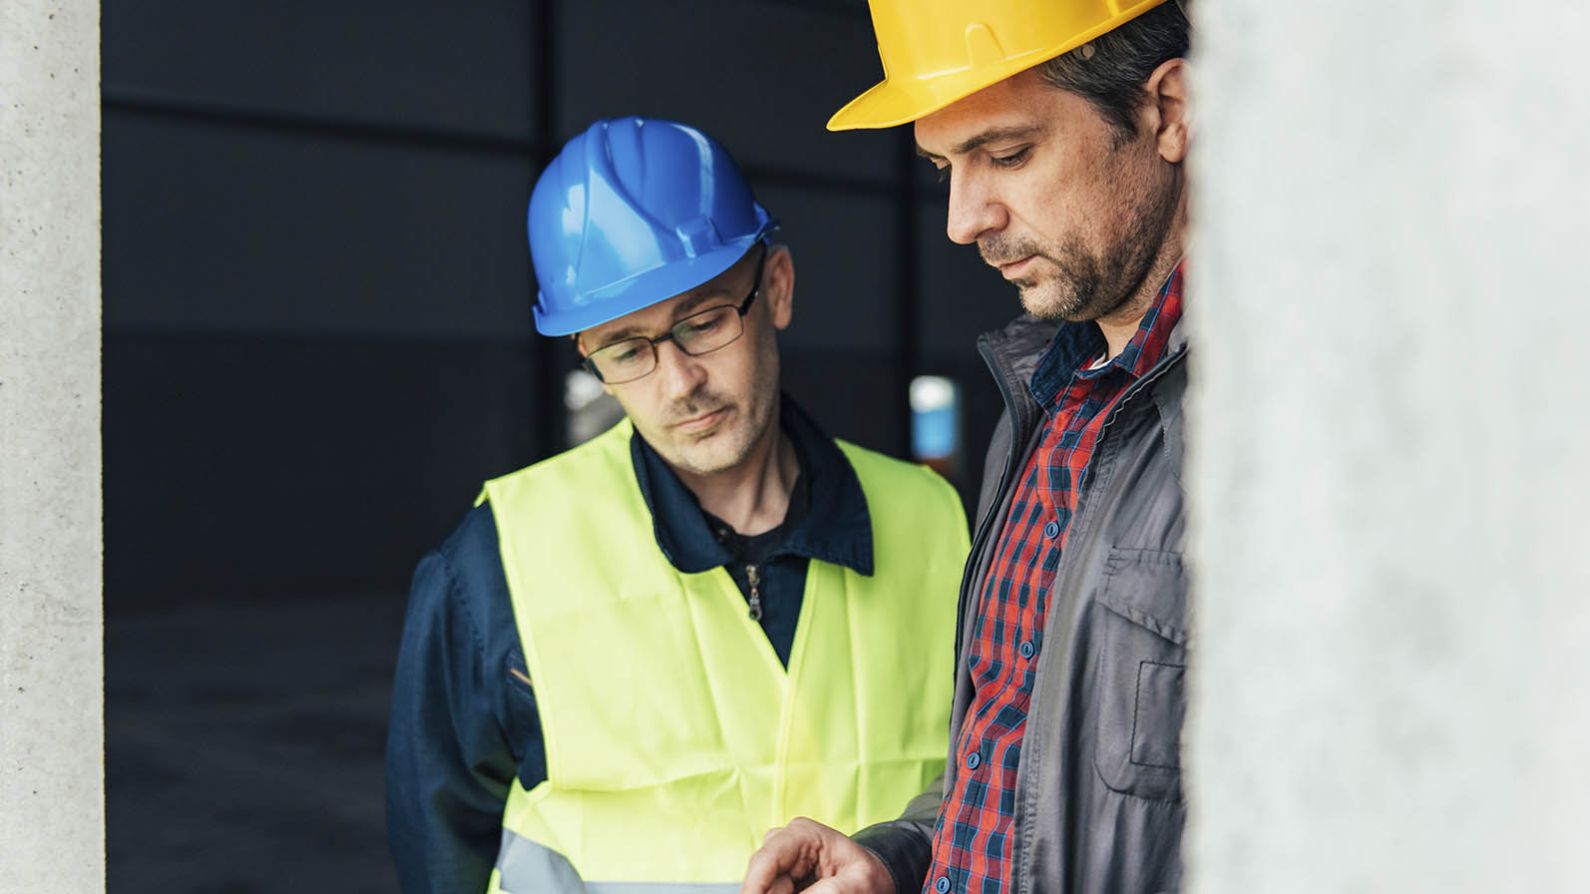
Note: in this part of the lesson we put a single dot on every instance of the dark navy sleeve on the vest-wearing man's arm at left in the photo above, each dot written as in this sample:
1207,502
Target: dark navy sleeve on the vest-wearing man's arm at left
449,763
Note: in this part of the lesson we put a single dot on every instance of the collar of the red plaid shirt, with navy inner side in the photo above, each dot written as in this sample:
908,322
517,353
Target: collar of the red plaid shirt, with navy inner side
1077,346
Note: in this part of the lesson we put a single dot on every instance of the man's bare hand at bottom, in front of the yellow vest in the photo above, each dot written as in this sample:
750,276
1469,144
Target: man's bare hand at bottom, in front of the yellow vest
810,857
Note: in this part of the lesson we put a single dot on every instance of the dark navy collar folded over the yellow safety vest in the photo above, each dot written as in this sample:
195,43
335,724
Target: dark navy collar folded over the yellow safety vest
837,527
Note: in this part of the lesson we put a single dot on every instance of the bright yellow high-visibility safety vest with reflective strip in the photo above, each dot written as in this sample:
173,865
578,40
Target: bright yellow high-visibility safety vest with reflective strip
675,737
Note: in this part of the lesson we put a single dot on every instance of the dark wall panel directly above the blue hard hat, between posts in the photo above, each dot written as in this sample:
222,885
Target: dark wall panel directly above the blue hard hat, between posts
761,77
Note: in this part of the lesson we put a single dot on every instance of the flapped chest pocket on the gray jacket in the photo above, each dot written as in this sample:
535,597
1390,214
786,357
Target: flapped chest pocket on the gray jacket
1142,670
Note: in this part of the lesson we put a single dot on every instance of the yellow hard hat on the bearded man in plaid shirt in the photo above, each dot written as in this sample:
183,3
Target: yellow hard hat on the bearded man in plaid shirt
937,52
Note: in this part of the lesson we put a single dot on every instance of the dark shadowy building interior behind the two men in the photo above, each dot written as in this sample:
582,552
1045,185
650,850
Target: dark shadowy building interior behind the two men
319,346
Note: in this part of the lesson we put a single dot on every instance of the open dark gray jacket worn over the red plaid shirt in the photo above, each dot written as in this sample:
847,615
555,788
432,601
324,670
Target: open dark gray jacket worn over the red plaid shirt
1099,787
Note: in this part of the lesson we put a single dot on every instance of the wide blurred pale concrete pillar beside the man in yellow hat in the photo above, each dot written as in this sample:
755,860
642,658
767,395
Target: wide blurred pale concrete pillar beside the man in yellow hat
1390,456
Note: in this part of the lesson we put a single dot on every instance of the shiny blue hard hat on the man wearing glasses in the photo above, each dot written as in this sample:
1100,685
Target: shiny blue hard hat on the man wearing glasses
632,212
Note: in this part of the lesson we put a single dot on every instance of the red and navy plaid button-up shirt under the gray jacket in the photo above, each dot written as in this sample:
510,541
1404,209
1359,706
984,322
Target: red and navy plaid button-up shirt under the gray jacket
974,834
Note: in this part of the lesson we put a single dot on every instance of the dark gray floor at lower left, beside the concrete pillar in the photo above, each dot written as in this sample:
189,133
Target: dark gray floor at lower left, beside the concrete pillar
244,748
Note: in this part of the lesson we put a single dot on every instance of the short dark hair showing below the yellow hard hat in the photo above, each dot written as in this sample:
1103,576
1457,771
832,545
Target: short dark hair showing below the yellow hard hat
1111,71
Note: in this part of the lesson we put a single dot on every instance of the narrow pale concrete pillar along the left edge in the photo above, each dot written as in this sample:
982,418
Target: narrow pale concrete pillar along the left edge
52,669
